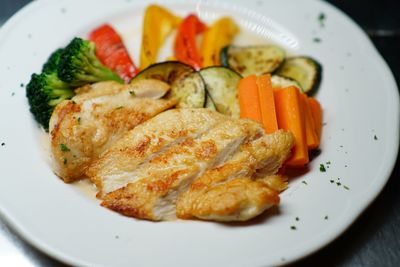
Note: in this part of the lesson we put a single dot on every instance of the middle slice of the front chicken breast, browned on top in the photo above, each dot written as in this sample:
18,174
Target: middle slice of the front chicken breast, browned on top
166,176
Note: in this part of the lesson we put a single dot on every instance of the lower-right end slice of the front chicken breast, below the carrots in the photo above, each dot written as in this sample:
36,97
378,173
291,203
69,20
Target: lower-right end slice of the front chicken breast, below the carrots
230,192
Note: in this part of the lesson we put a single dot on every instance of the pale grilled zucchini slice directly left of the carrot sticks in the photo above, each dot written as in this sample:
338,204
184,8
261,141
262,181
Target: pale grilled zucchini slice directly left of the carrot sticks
221,85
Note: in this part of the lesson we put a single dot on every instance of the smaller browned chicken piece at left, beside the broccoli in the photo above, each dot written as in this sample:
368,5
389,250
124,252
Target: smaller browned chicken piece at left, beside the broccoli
99,115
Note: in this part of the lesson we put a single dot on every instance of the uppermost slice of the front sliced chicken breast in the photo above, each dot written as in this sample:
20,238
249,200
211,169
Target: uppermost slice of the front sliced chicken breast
118,166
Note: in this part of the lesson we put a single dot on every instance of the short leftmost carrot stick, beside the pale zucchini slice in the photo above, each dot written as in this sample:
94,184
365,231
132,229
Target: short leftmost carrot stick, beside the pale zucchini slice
249,100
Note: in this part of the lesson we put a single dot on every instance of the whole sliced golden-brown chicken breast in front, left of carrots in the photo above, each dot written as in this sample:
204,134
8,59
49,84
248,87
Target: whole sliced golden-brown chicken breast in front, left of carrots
192,163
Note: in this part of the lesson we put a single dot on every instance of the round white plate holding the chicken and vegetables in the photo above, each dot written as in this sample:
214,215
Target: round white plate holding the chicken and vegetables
360,101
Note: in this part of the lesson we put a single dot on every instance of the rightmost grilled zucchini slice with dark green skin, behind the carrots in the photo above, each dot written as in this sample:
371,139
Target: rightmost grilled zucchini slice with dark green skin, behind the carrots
305,70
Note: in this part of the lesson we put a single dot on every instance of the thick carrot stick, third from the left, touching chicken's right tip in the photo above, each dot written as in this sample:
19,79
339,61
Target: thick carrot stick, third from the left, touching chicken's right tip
291,118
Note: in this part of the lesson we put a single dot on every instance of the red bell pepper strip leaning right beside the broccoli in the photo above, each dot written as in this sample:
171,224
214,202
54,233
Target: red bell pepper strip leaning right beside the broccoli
112,53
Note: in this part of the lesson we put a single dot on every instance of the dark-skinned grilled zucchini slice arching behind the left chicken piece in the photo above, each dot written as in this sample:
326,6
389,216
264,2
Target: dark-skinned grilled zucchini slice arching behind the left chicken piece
186,84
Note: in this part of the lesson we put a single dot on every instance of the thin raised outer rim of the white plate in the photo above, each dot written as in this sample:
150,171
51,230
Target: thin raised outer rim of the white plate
341,226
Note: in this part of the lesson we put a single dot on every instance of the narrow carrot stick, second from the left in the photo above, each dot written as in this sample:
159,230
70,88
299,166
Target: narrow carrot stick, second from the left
267,103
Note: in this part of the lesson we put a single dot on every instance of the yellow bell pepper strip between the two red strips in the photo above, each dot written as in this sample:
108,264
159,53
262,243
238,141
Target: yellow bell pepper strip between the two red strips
157,25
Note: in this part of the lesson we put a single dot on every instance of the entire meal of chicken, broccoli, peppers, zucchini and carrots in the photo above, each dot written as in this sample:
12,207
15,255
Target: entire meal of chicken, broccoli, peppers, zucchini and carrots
206,134
